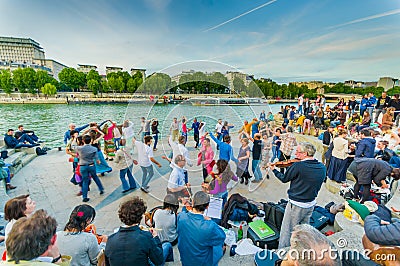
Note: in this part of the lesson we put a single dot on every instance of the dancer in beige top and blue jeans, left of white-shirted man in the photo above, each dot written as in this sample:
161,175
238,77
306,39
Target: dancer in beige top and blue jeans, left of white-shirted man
124,162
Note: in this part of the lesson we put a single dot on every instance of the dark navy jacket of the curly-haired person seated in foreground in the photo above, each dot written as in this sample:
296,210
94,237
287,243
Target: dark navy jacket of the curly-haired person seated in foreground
132,246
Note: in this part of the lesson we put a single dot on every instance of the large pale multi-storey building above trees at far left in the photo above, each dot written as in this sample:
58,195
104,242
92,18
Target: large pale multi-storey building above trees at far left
25,52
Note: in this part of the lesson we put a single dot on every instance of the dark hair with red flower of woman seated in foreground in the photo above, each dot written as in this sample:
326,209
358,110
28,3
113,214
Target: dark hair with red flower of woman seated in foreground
80,217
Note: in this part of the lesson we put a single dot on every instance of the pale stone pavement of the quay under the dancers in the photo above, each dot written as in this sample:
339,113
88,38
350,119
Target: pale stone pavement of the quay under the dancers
47,177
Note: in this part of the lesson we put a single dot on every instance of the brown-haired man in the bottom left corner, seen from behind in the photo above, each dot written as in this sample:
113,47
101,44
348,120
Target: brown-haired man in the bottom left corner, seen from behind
33,241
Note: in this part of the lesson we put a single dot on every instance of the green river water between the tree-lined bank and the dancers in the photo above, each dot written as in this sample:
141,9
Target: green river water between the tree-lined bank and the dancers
50,121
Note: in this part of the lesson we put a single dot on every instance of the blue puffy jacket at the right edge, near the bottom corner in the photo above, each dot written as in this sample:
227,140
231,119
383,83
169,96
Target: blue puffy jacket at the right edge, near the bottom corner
387,235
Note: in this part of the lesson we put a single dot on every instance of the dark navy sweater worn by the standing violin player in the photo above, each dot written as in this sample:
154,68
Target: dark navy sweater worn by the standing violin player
305,177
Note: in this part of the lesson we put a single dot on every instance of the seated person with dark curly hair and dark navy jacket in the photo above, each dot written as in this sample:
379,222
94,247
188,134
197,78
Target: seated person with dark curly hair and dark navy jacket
147,244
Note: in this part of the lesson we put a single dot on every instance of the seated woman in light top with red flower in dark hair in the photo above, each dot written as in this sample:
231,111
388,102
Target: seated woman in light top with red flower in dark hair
81,246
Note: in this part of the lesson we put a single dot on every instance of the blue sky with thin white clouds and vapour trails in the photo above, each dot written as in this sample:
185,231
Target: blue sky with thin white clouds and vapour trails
285,40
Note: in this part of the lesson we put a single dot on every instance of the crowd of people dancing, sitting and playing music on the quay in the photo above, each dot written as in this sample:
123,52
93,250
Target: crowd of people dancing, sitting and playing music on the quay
357,143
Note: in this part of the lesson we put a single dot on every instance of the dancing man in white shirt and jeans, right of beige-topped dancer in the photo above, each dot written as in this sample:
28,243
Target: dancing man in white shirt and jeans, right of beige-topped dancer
145,160
